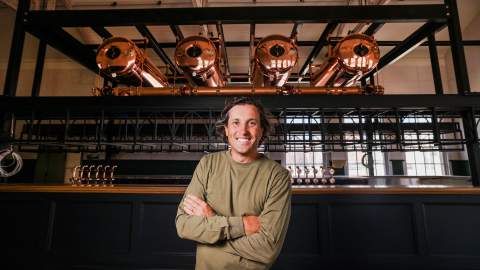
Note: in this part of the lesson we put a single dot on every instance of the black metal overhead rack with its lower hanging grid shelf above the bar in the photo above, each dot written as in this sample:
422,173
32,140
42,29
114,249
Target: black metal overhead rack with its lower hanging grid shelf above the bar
48,27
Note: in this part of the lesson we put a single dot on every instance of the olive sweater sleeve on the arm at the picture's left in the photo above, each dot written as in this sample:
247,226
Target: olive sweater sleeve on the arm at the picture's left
206,230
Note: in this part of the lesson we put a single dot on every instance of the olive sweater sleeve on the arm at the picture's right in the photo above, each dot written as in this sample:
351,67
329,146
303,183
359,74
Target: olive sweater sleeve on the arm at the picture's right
265,245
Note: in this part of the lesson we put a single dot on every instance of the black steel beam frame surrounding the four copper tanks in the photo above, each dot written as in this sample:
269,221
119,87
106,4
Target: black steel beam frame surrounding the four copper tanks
47,26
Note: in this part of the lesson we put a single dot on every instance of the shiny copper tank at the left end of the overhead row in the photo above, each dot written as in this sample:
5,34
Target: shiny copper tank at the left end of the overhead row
121,60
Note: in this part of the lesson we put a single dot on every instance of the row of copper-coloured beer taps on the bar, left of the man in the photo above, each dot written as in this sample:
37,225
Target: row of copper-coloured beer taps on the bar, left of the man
93,175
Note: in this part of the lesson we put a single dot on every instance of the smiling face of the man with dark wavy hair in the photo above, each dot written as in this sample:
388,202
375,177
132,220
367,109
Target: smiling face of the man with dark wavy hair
244,130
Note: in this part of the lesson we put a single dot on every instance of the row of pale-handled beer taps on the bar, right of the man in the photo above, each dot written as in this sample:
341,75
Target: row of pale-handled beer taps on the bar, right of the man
311,175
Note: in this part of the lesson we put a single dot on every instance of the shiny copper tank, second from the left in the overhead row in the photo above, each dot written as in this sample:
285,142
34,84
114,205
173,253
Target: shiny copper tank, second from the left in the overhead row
198,57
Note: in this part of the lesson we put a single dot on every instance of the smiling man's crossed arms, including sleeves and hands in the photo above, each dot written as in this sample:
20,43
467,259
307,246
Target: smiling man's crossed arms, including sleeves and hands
258,238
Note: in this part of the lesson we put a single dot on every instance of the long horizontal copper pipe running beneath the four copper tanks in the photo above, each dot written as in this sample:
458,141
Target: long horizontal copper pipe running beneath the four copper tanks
246,91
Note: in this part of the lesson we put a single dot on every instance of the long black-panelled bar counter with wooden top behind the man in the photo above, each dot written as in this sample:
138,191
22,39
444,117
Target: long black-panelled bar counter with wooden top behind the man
331,227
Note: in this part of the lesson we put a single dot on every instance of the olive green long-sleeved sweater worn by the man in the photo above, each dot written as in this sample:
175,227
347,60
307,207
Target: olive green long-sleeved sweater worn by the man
233,189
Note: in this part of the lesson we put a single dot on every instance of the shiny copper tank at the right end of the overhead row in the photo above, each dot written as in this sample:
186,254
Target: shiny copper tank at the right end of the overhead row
353,57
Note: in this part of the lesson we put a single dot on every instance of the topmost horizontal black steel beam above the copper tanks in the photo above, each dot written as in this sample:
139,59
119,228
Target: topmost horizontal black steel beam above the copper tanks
240,15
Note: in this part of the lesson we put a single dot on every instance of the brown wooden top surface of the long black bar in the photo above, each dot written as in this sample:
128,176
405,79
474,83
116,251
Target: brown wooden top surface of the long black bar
304,190
